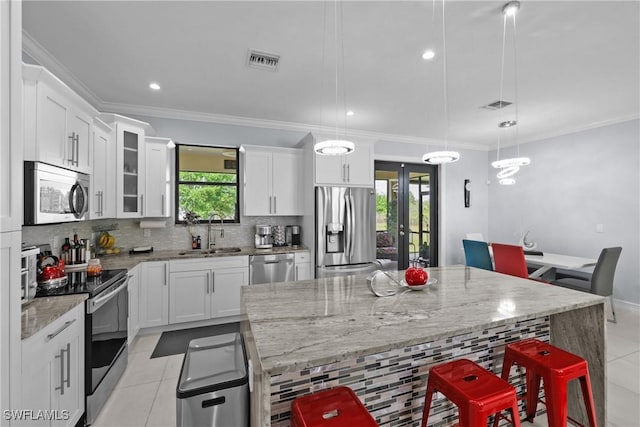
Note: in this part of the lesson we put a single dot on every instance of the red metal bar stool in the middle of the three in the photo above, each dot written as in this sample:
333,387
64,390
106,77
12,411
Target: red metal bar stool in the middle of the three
477,393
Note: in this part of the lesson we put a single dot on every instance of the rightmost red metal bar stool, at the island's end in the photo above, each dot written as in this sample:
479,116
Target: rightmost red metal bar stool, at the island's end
556,367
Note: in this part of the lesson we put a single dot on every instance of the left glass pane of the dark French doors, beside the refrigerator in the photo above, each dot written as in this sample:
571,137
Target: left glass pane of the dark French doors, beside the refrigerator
386,182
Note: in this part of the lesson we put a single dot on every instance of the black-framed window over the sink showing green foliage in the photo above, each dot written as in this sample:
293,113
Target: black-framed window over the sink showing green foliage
206,183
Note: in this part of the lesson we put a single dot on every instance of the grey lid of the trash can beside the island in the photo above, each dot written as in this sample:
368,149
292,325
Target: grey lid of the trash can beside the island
211,364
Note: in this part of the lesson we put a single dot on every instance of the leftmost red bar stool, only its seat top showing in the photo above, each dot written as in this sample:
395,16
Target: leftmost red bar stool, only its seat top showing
336,407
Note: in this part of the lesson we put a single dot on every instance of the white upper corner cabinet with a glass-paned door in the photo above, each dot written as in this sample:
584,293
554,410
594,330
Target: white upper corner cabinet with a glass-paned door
130,165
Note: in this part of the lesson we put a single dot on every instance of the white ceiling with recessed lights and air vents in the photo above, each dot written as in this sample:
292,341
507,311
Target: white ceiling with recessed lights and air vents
578,64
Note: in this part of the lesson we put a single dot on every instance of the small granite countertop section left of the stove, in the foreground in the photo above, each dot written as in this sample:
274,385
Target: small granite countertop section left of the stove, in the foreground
42,311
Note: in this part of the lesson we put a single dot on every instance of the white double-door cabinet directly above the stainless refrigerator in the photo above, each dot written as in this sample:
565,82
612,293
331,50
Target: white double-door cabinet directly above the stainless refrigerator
354,169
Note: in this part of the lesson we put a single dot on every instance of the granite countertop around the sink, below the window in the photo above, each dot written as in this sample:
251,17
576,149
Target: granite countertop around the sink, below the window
129,261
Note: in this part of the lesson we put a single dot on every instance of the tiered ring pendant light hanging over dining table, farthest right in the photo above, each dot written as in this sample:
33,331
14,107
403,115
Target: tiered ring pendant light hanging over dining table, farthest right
510,166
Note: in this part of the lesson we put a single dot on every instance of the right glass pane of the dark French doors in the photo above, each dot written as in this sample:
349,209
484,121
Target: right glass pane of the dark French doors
419,216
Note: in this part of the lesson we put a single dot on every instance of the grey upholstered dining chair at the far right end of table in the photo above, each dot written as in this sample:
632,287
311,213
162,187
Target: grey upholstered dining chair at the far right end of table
601,280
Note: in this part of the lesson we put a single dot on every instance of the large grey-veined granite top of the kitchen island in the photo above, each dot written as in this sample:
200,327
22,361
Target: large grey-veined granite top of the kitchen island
316,322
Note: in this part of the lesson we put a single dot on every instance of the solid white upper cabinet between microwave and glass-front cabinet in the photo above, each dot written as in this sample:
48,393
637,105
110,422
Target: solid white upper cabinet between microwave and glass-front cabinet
103,179
